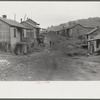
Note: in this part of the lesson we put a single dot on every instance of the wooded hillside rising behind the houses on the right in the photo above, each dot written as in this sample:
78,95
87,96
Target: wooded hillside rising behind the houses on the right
93,22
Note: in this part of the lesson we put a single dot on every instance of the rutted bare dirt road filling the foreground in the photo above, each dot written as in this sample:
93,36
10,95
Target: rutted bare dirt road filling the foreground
51,66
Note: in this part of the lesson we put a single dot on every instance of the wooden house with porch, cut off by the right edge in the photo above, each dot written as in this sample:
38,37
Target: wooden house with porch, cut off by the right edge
93,40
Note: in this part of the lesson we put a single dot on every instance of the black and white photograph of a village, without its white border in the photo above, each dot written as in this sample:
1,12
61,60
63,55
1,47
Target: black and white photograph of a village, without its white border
49,41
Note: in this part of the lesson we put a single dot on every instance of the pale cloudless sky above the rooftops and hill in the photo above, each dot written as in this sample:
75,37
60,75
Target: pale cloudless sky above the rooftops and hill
48,13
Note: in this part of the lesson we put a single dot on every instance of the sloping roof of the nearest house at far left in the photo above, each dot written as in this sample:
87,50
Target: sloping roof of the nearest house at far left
12,23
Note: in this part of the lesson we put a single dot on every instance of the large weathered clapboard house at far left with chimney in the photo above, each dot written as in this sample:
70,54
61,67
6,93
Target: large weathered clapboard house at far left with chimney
11,34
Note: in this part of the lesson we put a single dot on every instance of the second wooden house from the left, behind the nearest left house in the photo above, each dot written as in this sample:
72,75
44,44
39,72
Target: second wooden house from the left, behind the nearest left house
34,33
